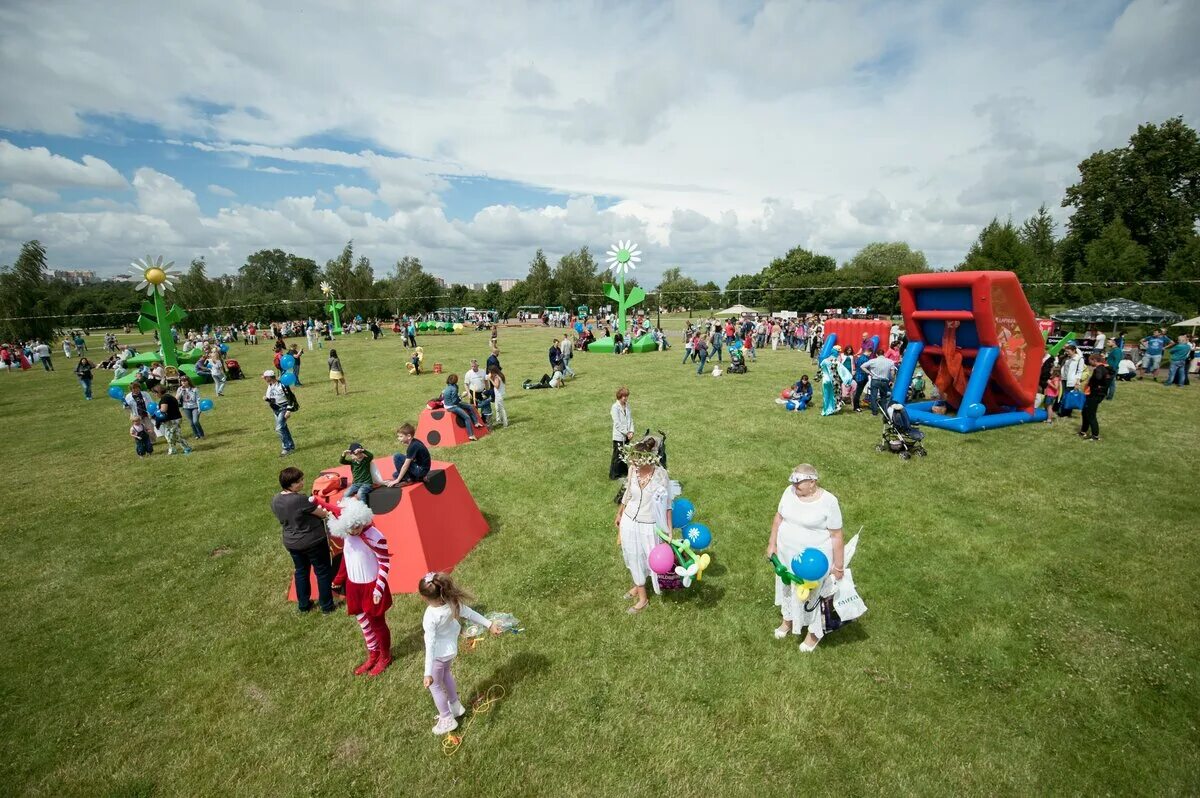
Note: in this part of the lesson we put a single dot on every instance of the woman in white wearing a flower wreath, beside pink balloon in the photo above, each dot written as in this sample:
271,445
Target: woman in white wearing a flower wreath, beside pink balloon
645,507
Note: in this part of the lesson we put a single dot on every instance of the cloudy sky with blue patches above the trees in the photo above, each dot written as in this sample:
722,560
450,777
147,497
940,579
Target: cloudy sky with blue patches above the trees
717,134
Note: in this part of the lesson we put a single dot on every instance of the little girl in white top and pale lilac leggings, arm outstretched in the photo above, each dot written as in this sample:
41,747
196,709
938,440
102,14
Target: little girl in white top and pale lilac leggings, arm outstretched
446,607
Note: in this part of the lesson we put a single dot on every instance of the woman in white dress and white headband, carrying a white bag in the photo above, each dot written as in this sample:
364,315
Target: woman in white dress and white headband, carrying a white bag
808,517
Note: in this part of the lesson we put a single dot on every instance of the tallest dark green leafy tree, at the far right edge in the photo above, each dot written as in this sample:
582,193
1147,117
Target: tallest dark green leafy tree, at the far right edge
1153,185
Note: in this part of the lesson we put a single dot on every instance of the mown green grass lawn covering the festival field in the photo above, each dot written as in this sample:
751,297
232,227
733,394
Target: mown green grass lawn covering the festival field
1034,621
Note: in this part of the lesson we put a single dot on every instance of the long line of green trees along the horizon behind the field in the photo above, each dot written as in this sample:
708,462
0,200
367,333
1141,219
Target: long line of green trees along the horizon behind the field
1135,219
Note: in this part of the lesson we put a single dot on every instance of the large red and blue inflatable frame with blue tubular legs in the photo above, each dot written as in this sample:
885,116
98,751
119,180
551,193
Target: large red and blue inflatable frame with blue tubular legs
976,337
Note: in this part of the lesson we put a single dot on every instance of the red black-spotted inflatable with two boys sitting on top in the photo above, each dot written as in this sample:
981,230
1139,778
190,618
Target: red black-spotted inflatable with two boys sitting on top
430,526
